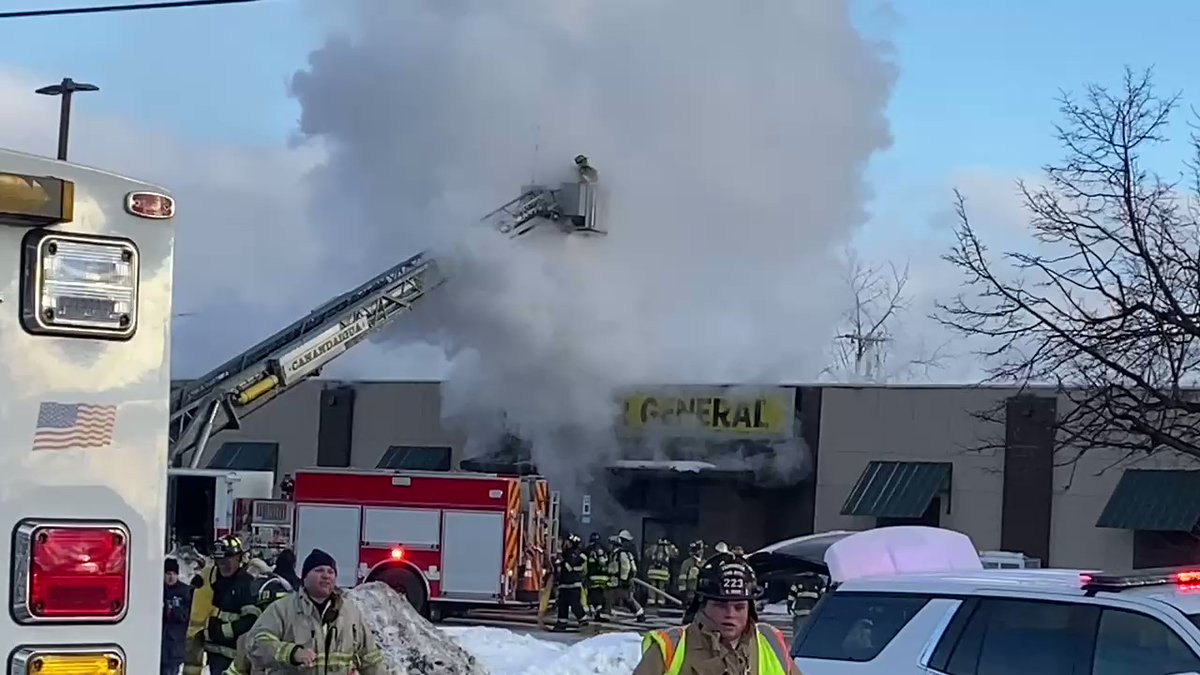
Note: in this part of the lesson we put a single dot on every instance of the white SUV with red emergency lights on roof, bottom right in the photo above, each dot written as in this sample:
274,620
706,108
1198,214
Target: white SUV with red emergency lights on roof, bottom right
922,612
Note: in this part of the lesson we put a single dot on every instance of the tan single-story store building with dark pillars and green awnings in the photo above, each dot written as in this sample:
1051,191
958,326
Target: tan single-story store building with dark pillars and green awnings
980,461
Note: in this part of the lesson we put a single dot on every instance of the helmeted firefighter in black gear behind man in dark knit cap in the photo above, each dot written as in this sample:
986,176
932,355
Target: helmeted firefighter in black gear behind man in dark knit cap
235,605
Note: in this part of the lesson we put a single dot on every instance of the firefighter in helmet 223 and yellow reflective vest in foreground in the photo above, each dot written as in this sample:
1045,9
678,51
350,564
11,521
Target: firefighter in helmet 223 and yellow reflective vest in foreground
725,636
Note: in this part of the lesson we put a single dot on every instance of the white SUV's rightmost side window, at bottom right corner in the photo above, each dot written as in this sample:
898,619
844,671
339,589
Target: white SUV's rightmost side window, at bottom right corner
1127,642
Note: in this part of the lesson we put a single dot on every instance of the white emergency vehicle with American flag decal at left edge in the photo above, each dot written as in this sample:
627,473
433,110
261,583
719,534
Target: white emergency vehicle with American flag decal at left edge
86,283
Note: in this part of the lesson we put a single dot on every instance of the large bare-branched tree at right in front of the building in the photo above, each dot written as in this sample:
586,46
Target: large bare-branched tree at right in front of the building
1106,306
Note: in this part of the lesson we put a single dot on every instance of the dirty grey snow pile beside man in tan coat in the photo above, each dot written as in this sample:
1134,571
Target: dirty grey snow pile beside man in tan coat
410,643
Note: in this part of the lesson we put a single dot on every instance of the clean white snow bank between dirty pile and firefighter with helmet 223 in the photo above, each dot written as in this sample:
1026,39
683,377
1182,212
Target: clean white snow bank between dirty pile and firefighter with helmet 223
506,653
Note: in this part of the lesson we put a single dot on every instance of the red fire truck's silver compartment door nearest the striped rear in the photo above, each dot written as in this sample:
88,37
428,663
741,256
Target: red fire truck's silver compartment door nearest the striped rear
472,554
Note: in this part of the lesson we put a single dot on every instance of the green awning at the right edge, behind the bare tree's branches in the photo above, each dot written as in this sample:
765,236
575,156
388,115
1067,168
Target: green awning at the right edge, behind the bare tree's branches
1163,500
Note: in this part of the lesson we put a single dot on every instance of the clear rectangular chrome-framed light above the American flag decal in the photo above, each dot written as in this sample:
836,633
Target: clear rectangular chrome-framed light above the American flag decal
83,286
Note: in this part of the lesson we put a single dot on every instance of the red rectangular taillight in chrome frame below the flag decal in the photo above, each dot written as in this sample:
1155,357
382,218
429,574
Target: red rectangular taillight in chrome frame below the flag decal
70,572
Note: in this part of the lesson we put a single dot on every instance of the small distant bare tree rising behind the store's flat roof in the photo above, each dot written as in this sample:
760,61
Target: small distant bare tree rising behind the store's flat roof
863,349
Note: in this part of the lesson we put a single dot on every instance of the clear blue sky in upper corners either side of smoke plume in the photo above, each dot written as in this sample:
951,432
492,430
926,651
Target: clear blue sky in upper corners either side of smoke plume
976,89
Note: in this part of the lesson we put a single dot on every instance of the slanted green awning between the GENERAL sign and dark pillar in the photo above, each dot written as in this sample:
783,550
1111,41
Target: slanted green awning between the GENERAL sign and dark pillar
898,489
